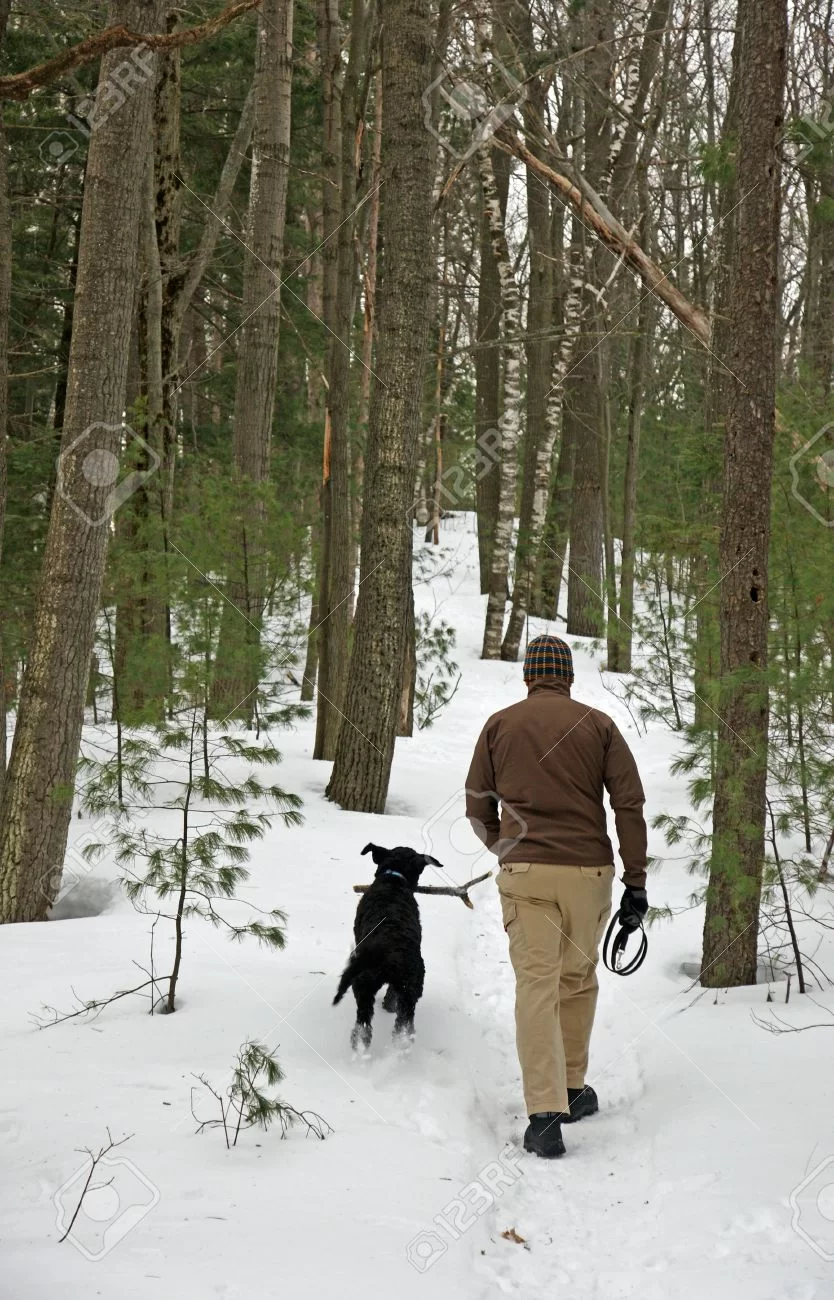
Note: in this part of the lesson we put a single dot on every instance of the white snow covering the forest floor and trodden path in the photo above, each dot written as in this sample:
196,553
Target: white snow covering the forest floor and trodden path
710,1169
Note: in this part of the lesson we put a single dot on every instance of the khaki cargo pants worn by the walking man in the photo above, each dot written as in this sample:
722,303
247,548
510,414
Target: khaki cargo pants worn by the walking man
555,918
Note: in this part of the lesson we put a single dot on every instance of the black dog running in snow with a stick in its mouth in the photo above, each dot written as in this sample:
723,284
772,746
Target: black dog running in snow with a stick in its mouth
388,937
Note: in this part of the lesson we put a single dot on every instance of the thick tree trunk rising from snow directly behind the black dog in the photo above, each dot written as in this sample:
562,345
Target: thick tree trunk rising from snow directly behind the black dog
367,738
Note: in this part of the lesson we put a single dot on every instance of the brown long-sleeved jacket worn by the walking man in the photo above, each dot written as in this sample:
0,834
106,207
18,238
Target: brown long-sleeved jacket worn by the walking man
549,760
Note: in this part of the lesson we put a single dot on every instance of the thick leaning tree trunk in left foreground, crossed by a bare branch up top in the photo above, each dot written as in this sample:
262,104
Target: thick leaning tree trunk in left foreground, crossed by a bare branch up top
37,804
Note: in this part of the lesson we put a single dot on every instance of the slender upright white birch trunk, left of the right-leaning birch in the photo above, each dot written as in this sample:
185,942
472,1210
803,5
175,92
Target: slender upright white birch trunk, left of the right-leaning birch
510,422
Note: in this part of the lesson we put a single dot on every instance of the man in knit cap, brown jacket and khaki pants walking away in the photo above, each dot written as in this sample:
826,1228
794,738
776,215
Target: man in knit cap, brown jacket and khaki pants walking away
548,760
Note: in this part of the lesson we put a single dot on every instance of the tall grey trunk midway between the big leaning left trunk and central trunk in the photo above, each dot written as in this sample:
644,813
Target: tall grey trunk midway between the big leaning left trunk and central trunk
240,668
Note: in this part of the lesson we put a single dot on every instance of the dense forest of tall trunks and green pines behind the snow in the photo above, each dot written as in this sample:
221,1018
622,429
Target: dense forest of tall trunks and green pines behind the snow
285,285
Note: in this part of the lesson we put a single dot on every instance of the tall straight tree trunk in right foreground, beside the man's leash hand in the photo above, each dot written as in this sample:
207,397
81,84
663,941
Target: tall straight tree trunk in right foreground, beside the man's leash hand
733,896
